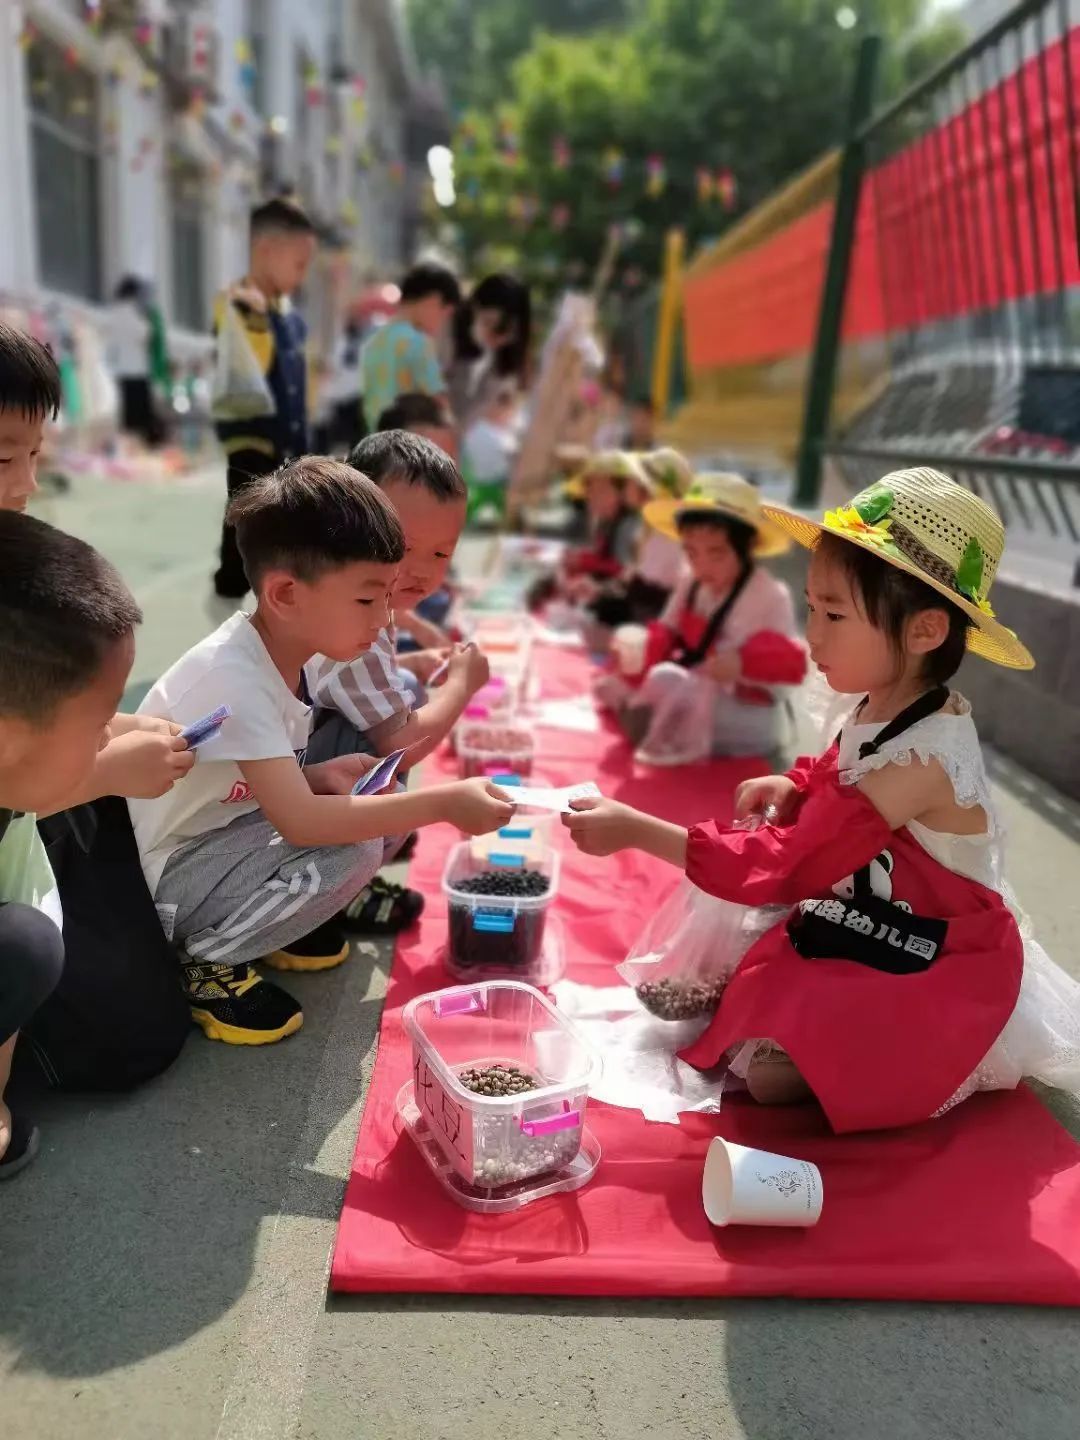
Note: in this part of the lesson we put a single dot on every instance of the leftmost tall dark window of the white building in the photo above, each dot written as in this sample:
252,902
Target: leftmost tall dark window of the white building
67,169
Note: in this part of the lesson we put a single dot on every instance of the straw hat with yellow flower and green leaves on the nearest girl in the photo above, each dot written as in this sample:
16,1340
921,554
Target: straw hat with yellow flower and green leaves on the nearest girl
927,525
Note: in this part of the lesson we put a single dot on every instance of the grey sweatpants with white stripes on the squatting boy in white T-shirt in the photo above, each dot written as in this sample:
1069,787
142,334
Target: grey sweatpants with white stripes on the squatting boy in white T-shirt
238,894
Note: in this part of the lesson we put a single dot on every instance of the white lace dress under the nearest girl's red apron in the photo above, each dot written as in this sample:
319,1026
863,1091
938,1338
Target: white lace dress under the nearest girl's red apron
1042,1040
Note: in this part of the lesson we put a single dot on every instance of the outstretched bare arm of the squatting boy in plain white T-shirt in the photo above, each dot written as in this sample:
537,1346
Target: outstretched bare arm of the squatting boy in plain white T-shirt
310,822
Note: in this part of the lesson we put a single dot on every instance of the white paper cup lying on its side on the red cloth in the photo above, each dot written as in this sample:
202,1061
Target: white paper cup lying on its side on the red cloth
744,1187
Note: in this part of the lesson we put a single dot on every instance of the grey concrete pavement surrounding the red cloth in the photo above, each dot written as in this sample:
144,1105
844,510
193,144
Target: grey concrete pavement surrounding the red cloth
163,1264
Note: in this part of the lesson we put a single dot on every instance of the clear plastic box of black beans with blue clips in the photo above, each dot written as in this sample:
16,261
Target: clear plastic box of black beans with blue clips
500,935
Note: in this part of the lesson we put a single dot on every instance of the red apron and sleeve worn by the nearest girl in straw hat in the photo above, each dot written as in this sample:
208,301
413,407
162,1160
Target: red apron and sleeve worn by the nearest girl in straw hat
878,1049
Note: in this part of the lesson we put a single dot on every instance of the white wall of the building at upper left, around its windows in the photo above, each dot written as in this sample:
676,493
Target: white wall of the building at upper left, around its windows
140,130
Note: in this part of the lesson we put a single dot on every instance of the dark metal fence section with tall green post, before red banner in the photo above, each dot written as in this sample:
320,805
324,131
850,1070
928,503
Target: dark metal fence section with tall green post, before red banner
968,191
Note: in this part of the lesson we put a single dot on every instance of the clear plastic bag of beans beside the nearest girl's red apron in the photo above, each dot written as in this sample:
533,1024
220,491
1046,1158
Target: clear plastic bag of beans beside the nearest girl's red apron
690,950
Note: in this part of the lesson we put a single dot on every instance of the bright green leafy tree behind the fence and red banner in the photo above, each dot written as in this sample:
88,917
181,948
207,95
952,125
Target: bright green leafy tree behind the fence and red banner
755,89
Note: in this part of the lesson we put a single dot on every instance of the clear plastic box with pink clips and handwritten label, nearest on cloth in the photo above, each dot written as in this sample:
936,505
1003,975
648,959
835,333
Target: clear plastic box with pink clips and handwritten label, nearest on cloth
493,1141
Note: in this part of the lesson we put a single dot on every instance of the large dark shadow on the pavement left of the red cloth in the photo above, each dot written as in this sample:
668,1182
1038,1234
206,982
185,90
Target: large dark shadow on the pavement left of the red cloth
136,1228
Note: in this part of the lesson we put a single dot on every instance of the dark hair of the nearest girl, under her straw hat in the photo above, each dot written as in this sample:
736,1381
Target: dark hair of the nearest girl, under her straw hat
891,597
